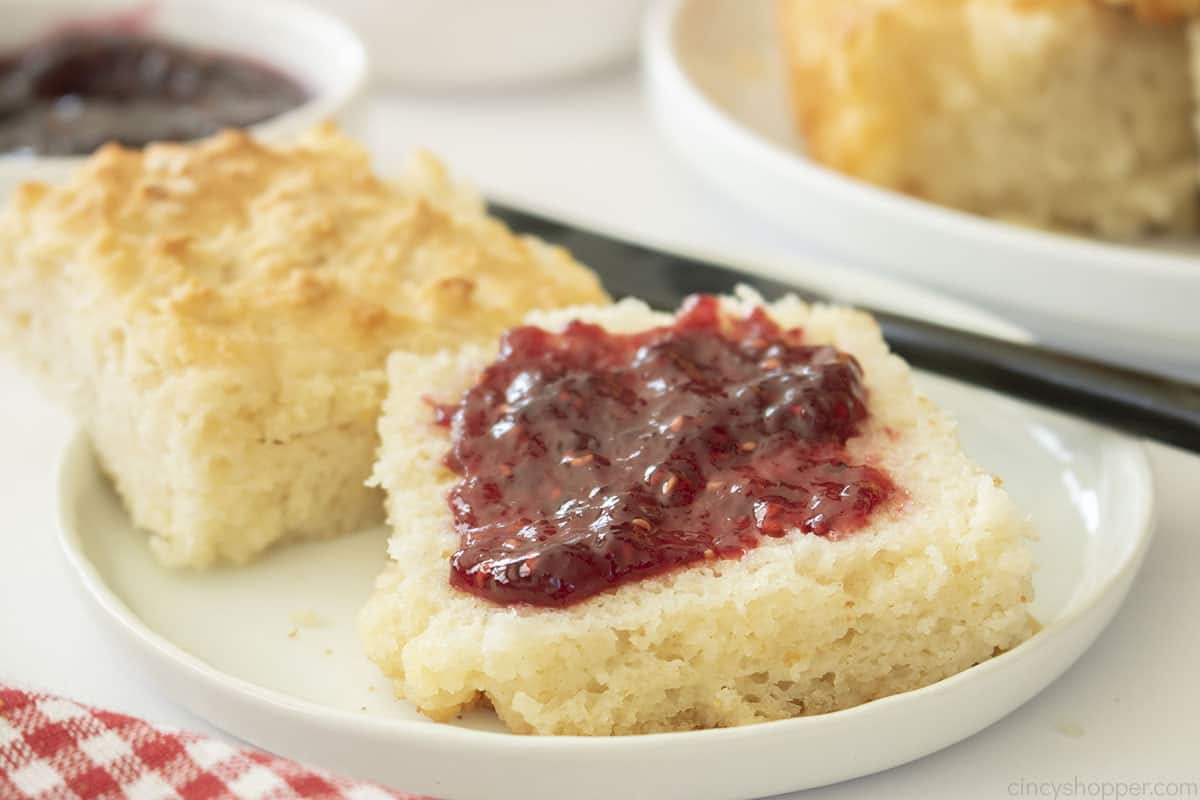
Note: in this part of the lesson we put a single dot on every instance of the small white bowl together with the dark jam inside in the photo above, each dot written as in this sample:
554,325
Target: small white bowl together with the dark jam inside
76,75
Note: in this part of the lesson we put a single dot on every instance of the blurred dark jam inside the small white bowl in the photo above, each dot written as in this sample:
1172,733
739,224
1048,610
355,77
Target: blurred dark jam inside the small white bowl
76,91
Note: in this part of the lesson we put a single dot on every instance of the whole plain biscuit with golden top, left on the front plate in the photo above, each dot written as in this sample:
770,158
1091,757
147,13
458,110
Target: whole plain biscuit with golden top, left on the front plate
218,317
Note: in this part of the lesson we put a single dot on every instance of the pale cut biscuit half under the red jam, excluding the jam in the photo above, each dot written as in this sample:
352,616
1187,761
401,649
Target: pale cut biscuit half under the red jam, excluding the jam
797,625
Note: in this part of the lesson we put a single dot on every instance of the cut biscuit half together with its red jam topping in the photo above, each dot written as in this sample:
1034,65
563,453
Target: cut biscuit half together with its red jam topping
625,522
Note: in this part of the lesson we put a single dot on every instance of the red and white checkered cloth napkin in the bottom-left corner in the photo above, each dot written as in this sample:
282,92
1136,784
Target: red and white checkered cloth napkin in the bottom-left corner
52,749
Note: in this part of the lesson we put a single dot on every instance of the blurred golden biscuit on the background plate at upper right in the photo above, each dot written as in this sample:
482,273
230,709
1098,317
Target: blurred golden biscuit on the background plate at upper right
1067,115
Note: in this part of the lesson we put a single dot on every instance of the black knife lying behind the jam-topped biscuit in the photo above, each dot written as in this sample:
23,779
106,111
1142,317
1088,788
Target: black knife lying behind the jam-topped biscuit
1141,404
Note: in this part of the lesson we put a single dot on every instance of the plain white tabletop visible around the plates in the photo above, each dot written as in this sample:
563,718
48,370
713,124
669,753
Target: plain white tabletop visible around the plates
1130,712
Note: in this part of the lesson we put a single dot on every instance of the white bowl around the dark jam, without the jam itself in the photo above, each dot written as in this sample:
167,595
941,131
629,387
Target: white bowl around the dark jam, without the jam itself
313,47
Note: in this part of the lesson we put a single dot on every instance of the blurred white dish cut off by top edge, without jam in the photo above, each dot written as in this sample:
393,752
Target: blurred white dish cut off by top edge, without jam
459,44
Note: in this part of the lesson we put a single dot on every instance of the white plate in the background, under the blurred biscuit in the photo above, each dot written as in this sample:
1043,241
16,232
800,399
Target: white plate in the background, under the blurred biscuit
716,86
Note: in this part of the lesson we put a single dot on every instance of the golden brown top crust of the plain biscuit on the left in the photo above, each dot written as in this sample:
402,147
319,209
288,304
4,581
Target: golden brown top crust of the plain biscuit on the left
232,252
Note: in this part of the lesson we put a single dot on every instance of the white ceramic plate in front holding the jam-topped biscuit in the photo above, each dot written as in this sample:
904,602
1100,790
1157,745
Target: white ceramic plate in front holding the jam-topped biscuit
269,652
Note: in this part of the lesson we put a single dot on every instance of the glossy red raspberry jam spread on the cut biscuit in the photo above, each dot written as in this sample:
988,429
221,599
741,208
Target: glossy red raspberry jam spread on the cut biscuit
590,459
